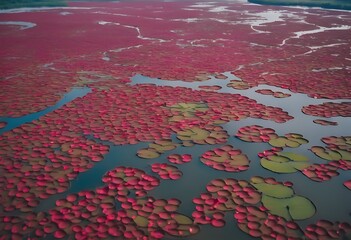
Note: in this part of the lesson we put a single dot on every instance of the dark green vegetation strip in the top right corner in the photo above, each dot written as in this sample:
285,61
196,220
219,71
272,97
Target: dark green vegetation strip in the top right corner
333,4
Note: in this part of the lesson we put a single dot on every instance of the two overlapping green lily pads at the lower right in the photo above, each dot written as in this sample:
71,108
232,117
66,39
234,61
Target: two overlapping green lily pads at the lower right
281,199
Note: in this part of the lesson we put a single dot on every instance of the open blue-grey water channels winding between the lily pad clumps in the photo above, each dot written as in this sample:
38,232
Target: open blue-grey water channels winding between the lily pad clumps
196,175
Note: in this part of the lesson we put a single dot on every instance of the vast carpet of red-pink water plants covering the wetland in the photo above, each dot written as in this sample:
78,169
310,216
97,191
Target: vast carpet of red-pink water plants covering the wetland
102,46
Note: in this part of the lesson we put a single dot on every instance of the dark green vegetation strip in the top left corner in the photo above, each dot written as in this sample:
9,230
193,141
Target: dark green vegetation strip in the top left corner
6,4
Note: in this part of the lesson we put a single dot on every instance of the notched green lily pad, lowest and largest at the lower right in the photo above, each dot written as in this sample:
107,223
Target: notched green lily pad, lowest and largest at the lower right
293,208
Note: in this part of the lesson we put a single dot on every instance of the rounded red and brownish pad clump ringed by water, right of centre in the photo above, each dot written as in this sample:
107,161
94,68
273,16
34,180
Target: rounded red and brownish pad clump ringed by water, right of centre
226,158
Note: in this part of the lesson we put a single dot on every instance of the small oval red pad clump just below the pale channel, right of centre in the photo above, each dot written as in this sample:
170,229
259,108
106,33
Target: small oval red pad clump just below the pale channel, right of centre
255,133
